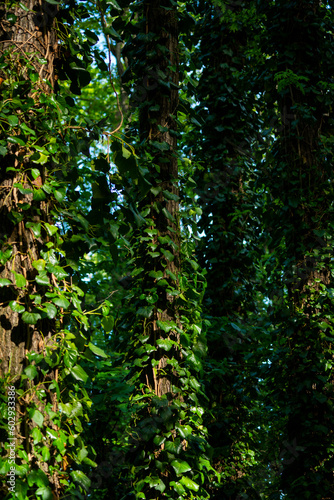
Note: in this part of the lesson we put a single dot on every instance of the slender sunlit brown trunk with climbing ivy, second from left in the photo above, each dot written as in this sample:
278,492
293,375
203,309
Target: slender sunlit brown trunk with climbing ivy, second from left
157,127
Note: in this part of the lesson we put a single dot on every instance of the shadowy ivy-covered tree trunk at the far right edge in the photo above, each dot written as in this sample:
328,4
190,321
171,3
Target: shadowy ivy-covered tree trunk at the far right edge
302,183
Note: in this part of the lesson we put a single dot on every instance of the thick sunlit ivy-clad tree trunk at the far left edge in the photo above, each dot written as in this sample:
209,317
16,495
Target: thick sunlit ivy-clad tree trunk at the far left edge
28,46
